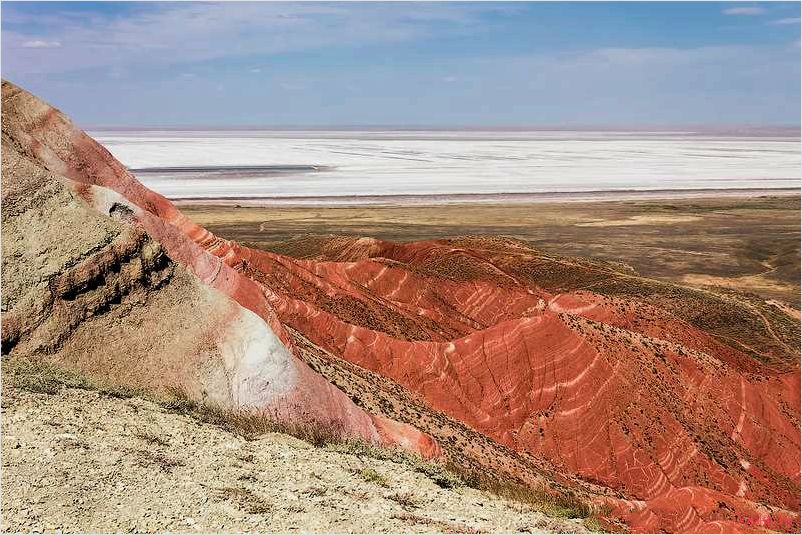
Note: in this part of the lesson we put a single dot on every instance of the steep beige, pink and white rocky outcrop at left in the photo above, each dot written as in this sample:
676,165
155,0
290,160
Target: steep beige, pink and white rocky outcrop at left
107,276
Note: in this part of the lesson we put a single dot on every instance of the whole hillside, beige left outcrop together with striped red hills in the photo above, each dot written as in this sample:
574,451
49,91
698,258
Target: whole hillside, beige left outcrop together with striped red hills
677,408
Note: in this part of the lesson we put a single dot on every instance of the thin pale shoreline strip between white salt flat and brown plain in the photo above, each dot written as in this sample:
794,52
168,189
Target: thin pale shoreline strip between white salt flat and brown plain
484,198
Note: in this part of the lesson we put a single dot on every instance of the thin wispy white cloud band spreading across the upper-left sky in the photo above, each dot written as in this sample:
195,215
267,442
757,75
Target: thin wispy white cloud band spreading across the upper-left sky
177,33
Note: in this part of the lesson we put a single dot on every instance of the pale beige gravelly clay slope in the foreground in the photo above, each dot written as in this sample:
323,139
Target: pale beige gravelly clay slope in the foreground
80,461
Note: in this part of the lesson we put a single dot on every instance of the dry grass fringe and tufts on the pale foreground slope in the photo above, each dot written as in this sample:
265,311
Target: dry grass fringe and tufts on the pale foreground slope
153,451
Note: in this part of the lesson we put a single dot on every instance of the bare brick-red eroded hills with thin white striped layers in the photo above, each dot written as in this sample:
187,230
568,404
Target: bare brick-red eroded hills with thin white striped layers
696,434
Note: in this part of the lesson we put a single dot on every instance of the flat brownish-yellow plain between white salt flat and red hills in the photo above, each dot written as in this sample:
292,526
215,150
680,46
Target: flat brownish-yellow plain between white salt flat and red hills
746,243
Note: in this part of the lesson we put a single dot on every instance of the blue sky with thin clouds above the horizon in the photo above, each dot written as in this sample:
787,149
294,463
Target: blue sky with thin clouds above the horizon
404,63
